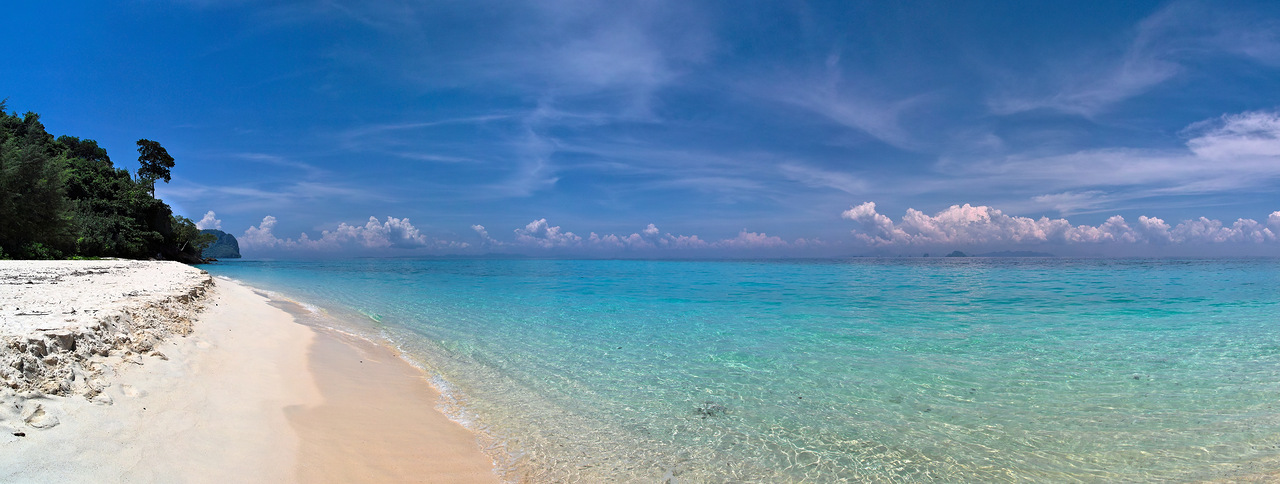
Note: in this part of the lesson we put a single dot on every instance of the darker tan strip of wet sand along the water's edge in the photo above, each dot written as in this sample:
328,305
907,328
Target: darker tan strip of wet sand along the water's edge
378,421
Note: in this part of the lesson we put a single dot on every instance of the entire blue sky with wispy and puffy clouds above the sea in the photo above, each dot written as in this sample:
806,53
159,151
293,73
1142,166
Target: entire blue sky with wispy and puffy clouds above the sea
680,129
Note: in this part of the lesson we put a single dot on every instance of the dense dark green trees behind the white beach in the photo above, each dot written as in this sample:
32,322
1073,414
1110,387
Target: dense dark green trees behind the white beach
65,199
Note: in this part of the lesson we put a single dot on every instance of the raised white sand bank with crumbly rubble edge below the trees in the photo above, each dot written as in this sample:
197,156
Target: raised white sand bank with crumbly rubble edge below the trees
65,325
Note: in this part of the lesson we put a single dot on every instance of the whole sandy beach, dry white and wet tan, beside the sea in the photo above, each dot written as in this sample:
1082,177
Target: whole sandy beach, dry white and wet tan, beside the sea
240,392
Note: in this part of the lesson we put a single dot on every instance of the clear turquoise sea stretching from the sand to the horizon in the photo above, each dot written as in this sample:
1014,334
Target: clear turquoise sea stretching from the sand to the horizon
834,371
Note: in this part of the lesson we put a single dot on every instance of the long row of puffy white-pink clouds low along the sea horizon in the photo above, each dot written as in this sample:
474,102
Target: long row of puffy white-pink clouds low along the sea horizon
956,227
